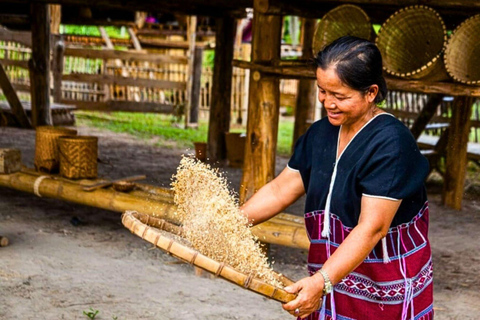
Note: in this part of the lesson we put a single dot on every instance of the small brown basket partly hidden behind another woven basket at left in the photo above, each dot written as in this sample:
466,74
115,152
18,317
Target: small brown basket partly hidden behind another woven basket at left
46,147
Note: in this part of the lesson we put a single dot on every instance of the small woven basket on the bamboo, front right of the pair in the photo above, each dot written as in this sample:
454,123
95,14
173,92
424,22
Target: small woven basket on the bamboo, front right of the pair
78,157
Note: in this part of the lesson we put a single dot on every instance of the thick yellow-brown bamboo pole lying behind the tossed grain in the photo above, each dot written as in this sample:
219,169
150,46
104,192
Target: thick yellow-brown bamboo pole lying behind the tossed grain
284,229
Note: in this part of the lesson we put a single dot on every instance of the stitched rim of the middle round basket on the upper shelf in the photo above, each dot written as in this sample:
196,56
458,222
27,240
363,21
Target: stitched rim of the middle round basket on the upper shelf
434,59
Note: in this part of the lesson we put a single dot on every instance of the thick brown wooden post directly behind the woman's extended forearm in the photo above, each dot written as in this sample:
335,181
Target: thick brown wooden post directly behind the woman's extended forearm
263,107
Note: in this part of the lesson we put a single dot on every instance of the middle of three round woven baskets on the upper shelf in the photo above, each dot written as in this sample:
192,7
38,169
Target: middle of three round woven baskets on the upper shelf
412,41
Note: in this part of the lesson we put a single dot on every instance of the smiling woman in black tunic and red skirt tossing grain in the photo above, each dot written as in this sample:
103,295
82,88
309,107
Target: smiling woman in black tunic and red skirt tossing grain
366,205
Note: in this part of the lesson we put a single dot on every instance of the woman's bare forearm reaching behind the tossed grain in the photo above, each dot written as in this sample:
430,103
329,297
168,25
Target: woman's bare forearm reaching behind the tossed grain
275,196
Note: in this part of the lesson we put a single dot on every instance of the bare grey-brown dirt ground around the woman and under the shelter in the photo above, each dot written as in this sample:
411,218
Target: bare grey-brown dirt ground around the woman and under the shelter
55,270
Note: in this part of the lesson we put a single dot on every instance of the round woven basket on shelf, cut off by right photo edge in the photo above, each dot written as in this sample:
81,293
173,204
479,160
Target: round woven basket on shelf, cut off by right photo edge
462,55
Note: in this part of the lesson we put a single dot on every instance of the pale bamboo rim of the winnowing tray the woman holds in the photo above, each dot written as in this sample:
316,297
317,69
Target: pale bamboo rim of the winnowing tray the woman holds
148,228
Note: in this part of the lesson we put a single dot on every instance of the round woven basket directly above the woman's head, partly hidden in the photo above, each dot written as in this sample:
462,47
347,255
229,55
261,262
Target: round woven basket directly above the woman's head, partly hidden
344,20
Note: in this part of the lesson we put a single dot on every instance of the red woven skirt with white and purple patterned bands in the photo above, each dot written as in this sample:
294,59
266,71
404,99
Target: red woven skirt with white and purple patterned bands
400,289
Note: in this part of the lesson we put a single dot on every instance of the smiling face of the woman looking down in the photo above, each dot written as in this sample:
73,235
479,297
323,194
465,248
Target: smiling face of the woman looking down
344,105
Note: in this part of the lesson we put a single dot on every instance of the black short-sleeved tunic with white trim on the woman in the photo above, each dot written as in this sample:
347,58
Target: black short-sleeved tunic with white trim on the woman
382,160
